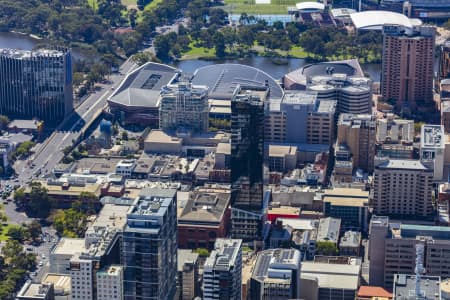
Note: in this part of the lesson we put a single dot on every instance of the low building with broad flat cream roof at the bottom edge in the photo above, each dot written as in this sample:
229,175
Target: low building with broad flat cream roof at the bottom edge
330,278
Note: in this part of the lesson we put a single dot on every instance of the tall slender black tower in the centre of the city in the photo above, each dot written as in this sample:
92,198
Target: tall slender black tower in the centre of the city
247,142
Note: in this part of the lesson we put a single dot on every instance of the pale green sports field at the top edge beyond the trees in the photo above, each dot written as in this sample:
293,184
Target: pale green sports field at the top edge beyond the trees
276,7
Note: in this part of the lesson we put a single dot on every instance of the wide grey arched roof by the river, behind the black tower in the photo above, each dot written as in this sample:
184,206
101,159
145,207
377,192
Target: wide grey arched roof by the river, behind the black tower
222,80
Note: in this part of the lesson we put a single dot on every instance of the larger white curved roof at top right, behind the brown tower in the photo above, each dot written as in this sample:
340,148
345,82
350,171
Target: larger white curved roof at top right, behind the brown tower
375,19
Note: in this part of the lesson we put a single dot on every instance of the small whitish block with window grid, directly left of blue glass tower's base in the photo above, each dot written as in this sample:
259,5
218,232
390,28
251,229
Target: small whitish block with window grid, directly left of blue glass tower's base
110,283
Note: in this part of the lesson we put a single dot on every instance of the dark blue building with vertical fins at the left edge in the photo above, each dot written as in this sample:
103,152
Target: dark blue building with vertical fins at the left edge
36,84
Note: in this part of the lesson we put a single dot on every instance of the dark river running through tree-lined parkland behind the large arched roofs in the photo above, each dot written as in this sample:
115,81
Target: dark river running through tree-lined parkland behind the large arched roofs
25,42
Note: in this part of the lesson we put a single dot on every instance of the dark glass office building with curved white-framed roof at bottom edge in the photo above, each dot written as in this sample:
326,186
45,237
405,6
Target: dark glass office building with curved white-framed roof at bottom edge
276,275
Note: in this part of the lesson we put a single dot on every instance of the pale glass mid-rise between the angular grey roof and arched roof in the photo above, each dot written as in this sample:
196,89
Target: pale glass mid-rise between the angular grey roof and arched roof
184,106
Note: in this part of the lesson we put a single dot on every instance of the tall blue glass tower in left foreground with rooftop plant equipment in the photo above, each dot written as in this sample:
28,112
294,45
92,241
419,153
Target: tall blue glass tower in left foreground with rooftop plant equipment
149,246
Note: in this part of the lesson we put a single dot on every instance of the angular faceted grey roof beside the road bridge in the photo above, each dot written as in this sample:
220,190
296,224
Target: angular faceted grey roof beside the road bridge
142,86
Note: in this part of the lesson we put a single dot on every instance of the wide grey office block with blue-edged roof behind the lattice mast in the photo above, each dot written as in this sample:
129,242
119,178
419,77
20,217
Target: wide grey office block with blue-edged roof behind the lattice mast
392,250
